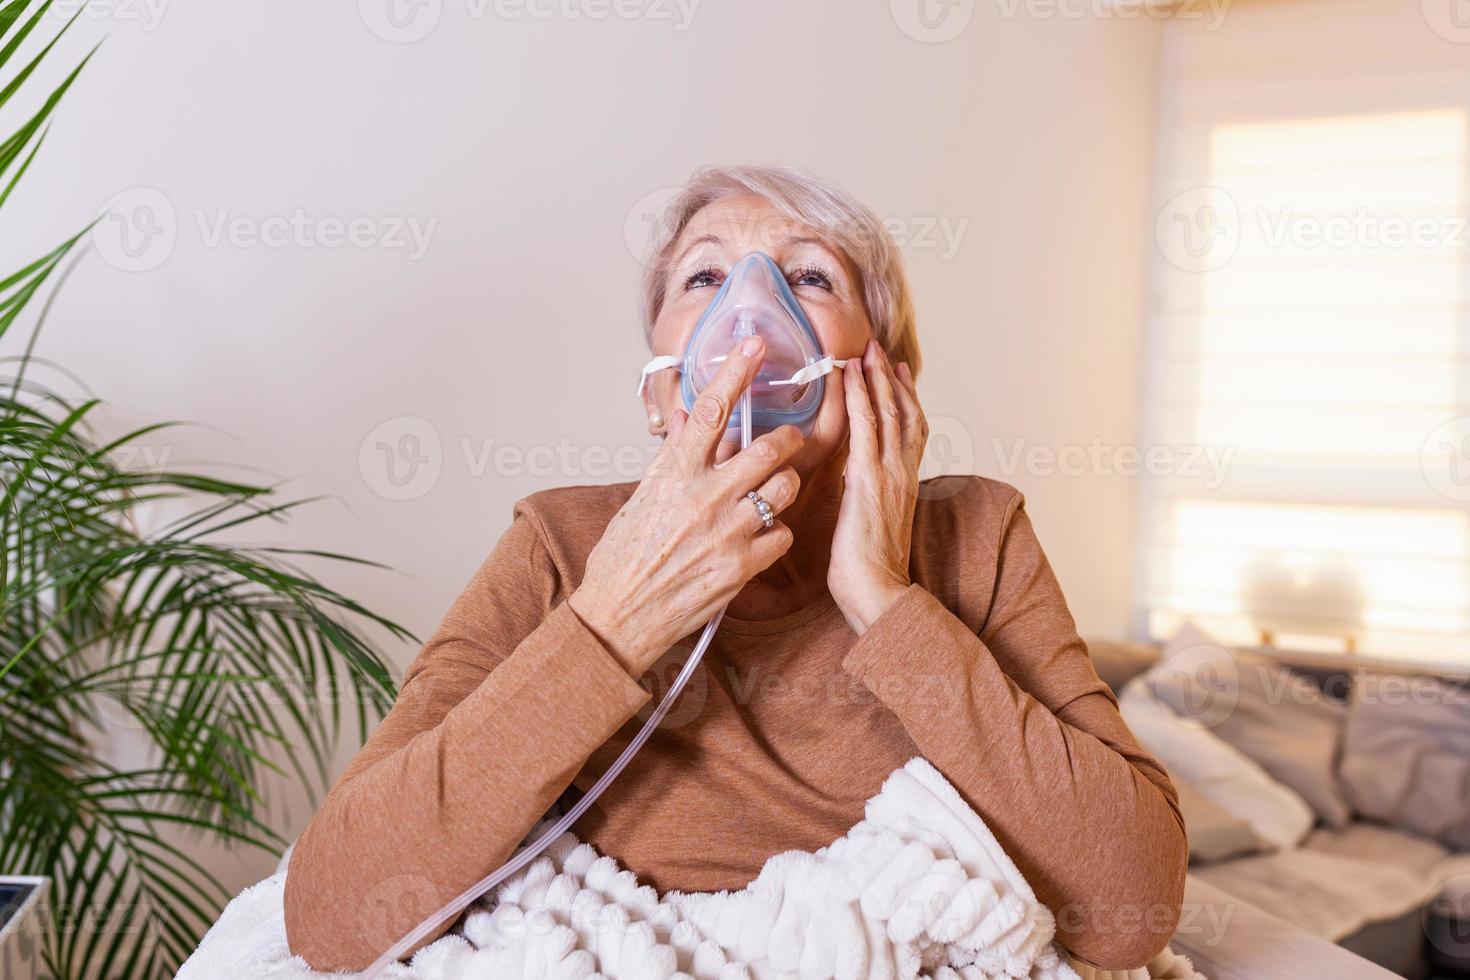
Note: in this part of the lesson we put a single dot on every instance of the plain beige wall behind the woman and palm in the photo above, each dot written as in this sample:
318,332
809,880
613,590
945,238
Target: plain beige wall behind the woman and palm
534,146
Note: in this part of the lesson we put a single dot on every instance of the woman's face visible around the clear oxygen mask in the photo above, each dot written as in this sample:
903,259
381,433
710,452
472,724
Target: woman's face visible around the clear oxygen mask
820,275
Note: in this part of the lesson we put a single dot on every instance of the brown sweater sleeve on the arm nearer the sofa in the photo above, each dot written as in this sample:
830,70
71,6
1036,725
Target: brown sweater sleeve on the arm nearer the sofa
1018,721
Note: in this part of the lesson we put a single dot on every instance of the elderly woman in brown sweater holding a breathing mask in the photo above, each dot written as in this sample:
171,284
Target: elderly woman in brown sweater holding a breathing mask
875,619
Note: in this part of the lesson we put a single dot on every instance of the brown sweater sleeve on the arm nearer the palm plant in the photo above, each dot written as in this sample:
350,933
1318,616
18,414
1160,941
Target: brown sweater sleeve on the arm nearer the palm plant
495,719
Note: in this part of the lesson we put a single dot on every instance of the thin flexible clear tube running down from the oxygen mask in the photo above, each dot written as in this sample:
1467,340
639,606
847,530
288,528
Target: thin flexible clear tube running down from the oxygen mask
533,851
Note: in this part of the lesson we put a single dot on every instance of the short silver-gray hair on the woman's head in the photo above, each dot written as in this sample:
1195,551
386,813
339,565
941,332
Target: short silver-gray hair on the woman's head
818,205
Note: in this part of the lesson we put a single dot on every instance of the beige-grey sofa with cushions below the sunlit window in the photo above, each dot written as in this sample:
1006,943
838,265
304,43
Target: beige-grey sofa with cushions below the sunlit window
1390,893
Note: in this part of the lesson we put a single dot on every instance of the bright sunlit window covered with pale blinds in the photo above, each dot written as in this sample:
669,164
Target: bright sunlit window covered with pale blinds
1311,320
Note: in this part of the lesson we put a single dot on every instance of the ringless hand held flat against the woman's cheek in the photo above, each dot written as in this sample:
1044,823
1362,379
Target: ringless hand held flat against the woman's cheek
887,434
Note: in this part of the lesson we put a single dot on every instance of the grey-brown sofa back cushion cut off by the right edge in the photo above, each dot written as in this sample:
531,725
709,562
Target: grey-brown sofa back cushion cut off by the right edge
1406,754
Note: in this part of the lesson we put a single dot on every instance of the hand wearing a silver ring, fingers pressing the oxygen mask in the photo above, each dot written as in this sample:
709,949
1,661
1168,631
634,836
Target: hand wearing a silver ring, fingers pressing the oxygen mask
689,538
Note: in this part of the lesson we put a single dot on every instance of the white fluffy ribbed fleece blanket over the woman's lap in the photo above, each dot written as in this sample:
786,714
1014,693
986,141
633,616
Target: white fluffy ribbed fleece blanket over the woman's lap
918,888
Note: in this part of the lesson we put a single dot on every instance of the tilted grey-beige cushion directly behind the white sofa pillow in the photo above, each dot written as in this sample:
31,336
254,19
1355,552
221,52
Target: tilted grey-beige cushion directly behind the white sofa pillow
1272,715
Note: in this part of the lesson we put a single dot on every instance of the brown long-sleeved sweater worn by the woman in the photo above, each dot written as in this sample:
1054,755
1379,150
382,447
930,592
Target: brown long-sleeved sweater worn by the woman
783,735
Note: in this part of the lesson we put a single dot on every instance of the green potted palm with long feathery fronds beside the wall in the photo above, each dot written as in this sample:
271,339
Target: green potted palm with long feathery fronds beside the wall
230,662
